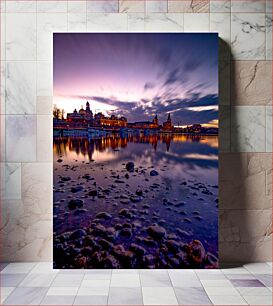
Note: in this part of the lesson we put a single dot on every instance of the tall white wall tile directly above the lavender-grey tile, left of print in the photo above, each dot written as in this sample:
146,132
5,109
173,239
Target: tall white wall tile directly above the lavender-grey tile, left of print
20,88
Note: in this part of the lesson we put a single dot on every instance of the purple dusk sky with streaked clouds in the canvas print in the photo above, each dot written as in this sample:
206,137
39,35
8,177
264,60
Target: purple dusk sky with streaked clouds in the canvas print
139,75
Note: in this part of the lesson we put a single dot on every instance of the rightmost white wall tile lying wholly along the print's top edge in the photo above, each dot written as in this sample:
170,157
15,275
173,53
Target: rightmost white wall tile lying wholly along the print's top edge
196,22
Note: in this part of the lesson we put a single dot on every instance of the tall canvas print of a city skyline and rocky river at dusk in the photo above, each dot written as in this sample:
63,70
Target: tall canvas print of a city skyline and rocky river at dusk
135,144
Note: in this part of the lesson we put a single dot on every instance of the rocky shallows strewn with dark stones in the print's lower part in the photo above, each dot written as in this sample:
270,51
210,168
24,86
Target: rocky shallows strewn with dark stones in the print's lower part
103,218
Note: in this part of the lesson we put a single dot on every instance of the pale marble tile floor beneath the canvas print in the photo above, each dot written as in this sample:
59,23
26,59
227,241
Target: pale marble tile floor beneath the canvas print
39,284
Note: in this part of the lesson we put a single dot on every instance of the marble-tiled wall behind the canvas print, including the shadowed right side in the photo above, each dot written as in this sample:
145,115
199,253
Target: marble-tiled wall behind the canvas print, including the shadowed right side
245,28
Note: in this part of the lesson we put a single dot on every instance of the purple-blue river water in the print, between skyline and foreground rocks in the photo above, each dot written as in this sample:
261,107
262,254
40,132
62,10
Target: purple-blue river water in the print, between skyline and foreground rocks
183,196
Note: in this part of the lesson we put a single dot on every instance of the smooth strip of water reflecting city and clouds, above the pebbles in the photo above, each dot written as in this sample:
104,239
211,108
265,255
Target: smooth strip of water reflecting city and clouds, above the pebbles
188,156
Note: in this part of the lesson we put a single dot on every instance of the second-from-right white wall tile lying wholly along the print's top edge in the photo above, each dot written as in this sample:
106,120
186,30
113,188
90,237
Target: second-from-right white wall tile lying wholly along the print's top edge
160,22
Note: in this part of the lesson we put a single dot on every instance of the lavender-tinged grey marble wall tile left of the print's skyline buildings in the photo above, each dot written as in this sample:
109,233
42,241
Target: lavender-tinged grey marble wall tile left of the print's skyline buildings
20,138
